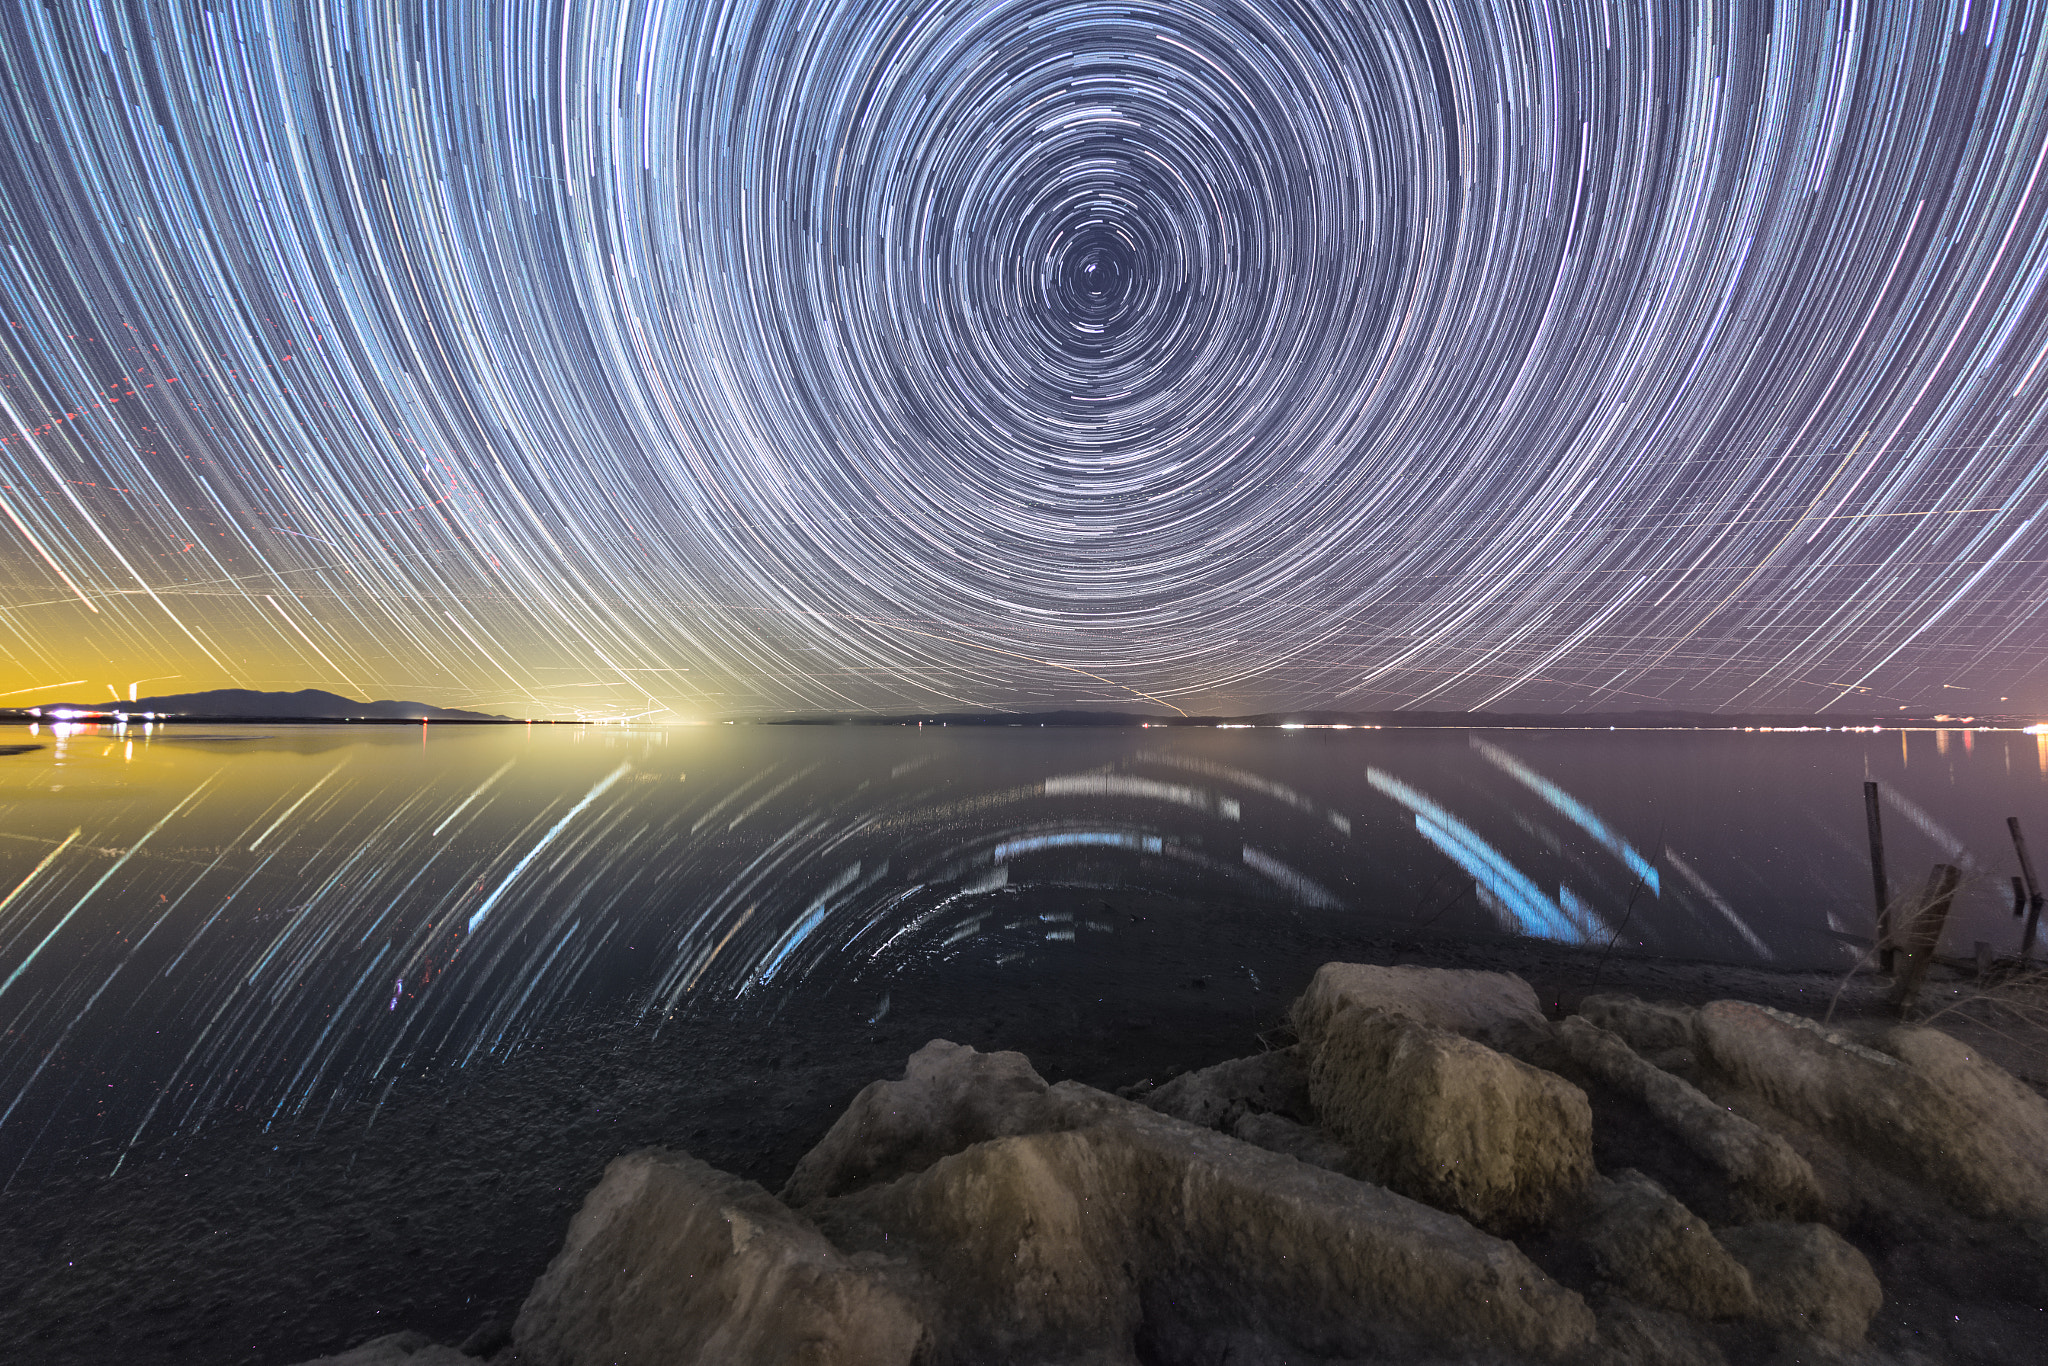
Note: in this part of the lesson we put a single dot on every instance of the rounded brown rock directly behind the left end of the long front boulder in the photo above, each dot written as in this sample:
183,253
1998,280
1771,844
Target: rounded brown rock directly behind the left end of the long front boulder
949,1099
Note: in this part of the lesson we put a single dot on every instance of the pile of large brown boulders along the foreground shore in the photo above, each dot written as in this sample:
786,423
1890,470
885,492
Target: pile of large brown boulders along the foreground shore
1412,1181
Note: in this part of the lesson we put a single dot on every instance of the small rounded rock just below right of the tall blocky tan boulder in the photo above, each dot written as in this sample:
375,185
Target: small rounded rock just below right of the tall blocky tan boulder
1658,1252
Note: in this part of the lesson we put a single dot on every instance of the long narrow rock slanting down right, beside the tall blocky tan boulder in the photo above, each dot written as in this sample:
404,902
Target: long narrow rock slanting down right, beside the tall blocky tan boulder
1762,1166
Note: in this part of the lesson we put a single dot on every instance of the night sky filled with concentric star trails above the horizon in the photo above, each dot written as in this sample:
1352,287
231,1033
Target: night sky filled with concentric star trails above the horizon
728,359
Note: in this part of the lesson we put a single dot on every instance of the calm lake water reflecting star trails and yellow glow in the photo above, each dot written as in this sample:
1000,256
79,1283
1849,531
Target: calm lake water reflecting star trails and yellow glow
275,921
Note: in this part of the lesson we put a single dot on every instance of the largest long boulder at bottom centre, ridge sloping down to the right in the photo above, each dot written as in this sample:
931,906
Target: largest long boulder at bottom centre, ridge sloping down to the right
1125,1224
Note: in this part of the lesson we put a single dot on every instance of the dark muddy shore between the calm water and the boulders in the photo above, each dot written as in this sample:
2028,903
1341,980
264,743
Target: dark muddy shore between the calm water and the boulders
439,1209
